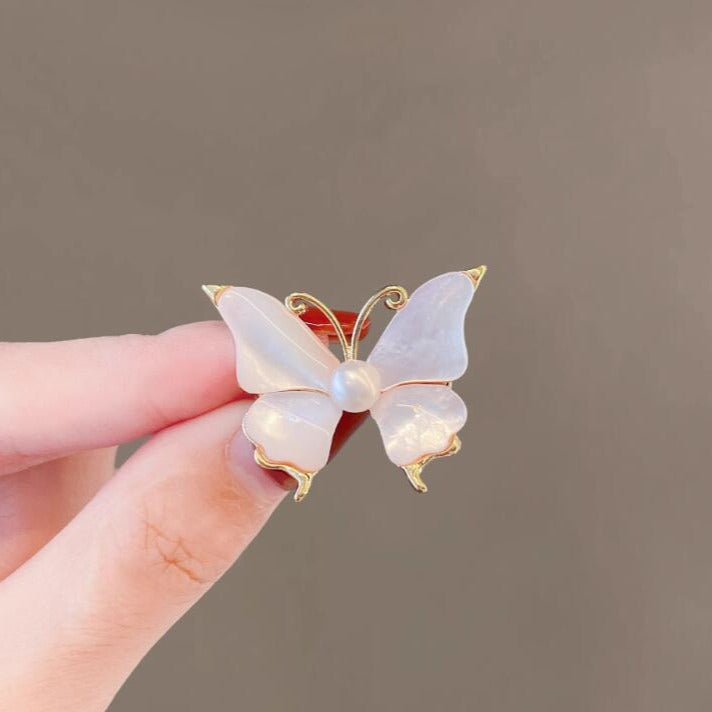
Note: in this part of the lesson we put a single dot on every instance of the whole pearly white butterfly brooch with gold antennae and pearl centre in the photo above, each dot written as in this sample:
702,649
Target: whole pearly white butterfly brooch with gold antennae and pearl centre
303,389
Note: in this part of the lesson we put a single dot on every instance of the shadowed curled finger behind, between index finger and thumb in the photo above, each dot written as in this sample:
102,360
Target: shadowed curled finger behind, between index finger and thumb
35,504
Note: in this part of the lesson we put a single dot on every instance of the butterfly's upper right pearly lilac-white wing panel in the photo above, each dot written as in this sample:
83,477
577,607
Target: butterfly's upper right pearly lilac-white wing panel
425,340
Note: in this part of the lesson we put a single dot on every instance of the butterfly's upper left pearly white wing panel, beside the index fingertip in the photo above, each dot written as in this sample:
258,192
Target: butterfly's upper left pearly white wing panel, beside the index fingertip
275,350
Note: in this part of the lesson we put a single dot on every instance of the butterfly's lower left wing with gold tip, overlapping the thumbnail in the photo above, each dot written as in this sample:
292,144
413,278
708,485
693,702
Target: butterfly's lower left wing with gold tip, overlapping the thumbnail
292,431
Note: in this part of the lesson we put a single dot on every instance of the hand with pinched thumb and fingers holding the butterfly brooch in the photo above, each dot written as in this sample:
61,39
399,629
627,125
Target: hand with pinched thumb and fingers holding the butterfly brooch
97,563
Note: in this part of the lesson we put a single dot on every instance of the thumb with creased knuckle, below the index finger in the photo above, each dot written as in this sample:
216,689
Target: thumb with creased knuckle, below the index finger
81,614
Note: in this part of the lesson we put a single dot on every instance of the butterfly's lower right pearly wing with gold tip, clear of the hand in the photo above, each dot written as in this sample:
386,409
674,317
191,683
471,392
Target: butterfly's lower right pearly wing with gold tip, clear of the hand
419,422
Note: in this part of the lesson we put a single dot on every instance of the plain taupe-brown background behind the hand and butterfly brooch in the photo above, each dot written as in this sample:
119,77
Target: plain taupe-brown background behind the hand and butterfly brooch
562,561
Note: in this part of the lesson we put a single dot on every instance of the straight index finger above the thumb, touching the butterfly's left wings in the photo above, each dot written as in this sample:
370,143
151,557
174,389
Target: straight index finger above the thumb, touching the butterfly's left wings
58,398
